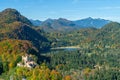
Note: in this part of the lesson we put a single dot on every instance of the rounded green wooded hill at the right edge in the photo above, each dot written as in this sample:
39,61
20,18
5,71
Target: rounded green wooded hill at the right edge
109,35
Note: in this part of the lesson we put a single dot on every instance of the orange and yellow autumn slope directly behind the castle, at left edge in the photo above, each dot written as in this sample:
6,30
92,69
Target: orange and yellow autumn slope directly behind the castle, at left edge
11,51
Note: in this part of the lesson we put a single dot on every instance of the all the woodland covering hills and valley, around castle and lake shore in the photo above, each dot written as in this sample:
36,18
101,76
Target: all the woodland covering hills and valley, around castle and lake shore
98,57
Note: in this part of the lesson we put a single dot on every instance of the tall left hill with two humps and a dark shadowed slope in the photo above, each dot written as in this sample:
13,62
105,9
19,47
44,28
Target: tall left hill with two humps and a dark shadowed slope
19,27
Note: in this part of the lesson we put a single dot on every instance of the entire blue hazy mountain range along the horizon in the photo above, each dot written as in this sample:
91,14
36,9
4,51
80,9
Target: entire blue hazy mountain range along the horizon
62,24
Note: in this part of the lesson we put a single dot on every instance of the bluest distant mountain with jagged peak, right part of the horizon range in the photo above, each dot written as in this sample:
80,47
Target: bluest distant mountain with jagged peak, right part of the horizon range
90,22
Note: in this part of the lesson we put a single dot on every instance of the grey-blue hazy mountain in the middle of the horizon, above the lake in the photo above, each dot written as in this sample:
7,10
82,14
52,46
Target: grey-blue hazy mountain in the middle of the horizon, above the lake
58,25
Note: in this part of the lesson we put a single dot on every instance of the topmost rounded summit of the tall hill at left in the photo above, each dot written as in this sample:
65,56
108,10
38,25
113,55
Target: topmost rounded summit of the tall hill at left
11,15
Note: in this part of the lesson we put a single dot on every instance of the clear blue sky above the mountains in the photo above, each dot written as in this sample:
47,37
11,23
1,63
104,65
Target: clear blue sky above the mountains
69,9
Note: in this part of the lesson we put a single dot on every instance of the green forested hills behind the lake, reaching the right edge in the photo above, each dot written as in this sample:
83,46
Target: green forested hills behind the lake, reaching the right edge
108,35
